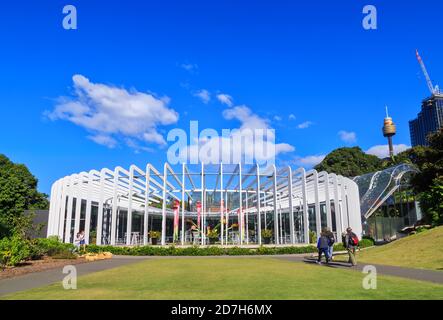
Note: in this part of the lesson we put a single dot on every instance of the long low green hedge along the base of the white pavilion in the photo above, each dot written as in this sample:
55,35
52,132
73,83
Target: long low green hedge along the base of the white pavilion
211,250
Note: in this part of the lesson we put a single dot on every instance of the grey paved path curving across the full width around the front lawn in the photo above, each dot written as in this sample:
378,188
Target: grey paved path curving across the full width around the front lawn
39,279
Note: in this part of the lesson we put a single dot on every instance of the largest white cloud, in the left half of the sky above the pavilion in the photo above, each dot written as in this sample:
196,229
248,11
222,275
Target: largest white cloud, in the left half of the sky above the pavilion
109,112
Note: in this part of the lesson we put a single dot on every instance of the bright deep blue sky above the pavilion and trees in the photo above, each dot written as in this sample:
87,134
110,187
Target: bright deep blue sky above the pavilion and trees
312,60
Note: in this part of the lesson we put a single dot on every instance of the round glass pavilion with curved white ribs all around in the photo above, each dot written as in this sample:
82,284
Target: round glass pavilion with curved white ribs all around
190,204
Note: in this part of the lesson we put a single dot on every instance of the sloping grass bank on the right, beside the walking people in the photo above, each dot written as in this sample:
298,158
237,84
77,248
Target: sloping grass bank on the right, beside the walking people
422,251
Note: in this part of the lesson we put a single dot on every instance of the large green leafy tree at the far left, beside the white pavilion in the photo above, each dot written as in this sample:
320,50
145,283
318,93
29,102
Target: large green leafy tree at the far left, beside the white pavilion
18,192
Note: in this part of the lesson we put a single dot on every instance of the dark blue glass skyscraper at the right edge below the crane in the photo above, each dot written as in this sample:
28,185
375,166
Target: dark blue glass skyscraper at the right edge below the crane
429,120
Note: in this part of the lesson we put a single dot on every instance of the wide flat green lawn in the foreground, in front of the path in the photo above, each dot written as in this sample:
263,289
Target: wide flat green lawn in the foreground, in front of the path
232,278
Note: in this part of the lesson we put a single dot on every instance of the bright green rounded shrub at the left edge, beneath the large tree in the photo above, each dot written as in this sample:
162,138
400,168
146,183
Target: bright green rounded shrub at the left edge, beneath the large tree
13,251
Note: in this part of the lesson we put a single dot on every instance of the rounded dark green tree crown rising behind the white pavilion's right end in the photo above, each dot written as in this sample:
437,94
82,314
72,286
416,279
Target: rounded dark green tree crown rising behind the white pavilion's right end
350,162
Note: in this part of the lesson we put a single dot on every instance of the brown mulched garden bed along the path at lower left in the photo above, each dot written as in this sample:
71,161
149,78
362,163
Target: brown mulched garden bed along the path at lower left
32,266
